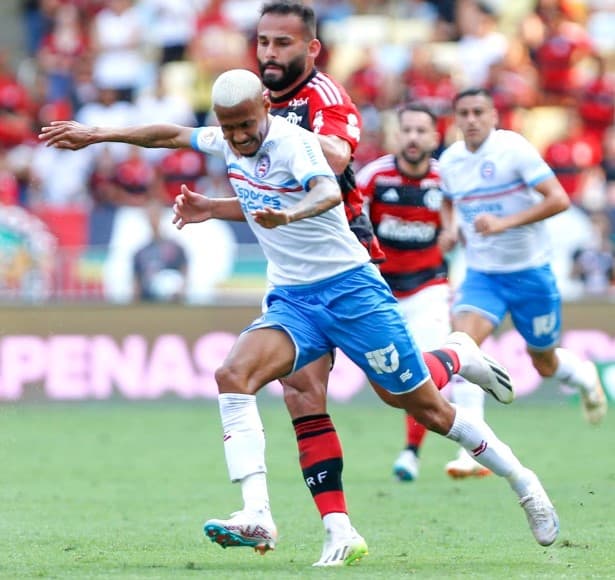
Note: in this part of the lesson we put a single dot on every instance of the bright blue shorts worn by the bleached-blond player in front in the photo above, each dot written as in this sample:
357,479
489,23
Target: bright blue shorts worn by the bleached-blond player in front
356,312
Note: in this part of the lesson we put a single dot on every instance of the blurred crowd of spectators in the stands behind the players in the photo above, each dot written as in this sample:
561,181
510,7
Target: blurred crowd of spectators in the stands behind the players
549,63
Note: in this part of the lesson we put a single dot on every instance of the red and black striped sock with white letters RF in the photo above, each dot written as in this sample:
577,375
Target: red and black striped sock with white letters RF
320,457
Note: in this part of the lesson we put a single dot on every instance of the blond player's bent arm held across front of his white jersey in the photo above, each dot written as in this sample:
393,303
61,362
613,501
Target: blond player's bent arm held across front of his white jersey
324,194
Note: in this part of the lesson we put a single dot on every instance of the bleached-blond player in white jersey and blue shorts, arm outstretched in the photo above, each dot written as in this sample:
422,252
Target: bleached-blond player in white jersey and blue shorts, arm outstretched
325,294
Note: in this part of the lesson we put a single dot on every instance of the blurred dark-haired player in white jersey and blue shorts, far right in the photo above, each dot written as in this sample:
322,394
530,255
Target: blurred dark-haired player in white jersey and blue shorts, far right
503,191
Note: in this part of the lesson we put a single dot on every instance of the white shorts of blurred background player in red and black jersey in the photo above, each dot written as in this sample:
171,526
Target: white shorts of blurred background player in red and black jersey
428,315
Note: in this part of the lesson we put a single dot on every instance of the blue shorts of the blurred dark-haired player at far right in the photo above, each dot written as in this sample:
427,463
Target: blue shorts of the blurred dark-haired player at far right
531,296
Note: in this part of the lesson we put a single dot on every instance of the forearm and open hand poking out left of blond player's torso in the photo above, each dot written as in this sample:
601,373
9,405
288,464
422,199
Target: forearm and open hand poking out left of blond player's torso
191,207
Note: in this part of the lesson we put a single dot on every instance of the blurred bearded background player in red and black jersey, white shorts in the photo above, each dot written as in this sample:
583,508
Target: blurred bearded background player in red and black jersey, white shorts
403,197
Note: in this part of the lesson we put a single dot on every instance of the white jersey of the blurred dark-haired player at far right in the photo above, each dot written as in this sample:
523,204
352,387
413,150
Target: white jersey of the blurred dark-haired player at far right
498,178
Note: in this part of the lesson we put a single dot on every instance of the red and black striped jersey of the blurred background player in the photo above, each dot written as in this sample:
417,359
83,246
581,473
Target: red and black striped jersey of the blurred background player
405,213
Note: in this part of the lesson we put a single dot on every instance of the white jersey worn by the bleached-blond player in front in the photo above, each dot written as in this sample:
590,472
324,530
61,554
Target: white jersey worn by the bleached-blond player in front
307,250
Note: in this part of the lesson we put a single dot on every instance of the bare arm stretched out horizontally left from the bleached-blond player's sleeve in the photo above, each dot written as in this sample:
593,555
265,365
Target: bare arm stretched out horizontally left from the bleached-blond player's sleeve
73,135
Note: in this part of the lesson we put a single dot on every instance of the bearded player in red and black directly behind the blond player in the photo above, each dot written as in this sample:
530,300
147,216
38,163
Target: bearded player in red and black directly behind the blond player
286,52
